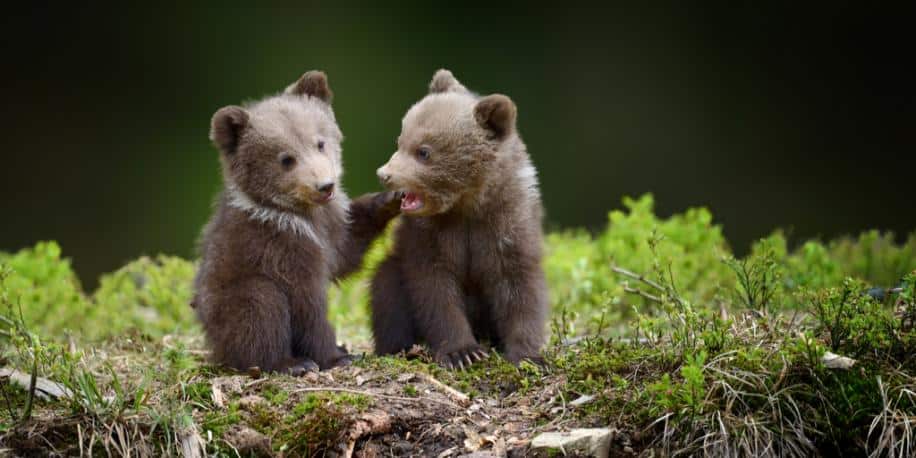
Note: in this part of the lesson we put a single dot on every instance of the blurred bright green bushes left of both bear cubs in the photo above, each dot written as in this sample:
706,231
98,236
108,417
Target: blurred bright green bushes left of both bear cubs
149,295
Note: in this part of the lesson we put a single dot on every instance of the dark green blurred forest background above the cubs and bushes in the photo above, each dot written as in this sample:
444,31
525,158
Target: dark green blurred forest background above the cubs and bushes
798,116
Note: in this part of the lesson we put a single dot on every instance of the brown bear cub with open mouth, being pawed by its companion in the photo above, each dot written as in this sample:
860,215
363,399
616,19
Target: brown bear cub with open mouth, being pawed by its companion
466,263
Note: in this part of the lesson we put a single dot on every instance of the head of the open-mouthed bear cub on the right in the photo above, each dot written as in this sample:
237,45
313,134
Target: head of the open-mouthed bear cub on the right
449,146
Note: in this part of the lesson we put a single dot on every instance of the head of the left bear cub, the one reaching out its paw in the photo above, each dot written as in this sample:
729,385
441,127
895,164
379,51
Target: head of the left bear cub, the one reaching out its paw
282,152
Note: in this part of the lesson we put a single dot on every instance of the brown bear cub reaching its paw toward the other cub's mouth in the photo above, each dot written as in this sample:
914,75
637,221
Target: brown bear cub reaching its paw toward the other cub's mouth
281,231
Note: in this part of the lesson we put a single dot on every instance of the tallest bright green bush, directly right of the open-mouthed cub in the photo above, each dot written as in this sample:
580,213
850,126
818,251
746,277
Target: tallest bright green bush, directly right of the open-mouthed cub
687,247
